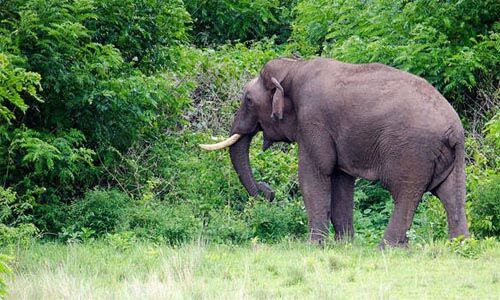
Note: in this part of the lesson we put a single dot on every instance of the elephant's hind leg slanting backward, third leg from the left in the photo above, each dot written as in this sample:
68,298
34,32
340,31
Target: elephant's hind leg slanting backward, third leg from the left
405,204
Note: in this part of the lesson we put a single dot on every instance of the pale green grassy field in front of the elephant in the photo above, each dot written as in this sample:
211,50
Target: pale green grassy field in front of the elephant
292,270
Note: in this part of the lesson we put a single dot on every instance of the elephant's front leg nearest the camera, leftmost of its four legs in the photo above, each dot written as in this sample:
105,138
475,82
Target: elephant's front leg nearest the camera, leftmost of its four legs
316,190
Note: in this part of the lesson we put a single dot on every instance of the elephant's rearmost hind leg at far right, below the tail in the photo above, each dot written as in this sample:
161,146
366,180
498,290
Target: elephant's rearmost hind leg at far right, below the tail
451,192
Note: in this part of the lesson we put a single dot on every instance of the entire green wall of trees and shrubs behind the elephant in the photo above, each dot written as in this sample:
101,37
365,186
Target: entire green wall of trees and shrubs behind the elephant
103,103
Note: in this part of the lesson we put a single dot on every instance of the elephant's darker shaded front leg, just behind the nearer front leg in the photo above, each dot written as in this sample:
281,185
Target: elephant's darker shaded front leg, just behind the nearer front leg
342,205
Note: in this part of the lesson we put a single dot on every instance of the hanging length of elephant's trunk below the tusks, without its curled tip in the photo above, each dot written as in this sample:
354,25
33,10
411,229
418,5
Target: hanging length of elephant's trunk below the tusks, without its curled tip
240,158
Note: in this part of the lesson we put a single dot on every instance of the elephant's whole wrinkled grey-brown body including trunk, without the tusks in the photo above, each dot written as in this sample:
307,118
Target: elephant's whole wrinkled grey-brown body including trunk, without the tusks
370,121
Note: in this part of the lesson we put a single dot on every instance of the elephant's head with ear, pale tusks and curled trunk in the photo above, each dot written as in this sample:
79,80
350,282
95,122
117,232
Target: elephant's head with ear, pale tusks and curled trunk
265,106
